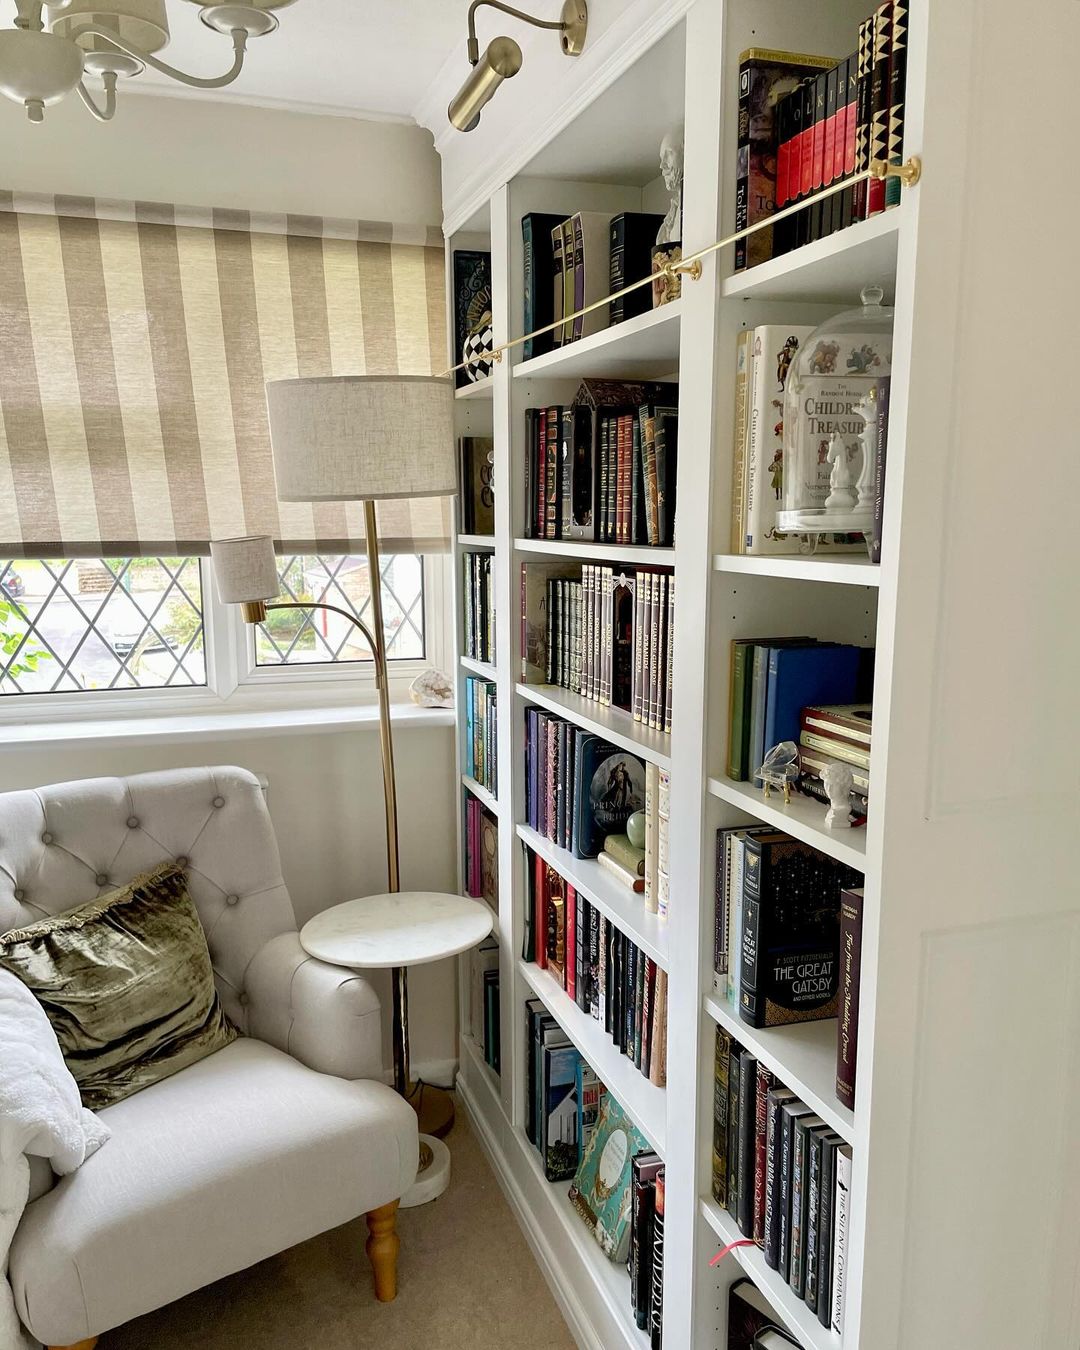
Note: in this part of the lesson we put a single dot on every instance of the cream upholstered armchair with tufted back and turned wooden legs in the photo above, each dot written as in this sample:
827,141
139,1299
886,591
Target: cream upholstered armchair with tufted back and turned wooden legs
281,1136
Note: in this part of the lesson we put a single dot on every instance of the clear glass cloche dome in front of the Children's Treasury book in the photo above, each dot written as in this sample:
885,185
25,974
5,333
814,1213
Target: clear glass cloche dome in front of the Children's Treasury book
831,422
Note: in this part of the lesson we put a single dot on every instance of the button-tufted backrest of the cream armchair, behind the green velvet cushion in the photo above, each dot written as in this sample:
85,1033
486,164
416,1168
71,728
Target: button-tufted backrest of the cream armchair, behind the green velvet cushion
67,844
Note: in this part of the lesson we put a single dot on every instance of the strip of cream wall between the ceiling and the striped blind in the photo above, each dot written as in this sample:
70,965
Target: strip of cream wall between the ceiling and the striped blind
194,153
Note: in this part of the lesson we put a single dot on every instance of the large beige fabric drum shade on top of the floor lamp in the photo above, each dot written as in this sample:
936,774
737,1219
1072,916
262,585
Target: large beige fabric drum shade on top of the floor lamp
362,438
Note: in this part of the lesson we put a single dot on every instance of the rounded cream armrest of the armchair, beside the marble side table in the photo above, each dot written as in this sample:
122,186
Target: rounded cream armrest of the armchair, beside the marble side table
325,1016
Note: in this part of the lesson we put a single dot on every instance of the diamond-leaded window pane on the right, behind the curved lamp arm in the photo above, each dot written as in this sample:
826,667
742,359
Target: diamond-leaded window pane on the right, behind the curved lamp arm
294,638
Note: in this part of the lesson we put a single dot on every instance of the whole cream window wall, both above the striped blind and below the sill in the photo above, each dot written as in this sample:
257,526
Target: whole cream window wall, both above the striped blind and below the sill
325,789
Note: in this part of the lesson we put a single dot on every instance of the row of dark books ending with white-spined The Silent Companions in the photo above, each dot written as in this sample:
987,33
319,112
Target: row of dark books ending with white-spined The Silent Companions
785,1177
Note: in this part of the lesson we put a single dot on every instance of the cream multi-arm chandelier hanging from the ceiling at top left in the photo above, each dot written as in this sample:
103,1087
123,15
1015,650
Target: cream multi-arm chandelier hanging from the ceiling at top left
110,38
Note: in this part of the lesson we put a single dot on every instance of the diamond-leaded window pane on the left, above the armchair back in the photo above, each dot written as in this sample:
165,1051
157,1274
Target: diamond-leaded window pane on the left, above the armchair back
74,626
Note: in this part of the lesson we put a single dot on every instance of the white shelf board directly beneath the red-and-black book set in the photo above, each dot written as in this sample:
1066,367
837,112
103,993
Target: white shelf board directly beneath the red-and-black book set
831,271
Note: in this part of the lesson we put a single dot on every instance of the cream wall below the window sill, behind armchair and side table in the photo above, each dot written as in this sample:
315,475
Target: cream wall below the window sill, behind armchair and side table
326,801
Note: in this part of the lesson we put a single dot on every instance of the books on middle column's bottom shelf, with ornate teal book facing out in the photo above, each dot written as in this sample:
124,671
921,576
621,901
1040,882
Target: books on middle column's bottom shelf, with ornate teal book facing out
570,1118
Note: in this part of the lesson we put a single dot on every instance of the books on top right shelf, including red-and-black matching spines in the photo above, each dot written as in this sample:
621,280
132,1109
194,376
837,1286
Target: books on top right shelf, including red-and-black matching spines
809,122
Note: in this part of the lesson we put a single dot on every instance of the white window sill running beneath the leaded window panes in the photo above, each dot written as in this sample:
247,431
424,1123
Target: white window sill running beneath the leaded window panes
159,730
